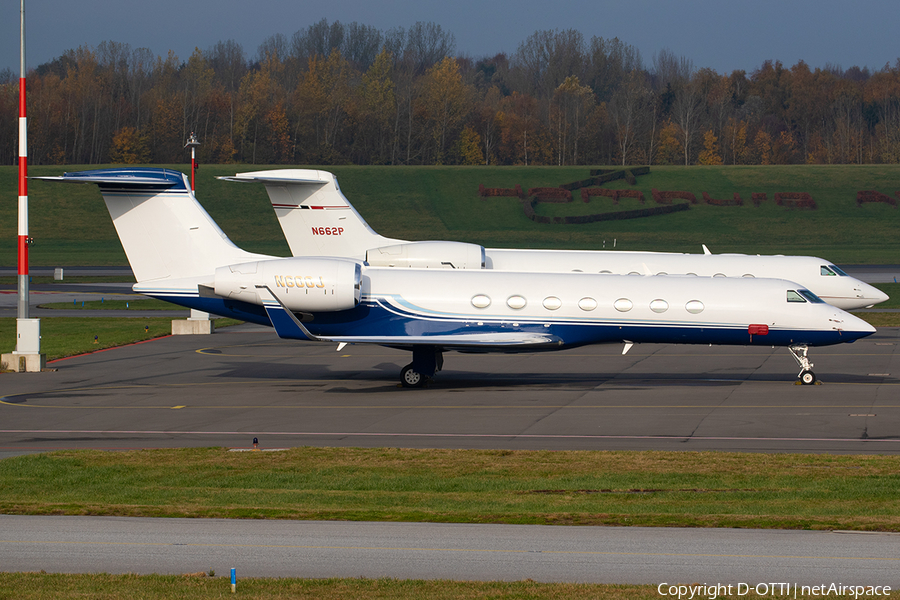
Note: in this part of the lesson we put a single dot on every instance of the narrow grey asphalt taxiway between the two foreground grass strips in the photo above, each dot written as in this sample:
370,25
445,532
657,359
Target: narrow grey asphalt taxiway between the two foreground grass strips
315,549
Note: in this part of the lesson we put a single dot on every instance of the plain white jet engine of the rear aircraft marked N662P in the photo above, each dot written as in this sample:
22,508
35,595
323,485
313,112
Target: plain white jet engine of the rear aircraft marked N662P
428,255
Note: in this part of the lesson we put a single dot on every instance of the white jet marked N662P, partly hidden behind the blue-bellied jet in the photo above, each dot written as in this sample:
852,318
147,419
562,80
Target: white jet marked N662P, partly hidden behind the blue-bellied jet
318,220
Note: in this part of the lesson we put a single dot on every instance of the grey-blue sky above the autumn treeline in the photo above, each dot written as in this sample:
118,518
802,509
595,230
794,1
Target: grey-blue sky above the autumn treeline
720,34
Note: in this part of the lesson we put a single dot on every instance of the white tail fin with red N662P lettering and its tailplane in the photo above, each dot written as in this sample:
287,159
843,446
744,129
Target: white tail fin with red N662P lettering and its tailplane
316,218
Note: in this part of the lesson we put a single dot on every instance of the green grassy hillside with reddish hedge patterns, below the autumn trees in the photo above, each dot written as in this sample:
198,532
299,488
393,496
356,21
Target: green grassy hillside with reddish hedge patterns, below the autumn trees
71,226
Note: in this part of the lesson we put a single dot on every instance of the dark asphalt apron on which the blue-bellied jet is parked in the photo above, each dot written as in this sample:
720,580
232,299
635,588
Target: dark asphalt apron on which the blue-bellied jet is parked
243,382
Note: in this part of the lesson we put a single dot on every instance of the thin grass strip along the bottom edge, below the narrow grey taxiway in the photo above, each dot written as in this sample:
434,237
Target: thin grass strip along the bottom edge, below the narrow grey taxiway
28,586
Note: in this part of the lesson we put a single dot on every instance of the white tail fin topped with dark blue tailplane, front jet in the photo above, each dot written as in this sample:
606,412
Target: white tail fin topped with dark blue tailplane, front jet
165,232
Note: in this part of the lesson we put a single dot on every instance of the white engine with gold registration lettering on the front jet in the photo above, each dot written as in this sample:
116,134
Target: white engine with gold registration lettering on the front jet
301,284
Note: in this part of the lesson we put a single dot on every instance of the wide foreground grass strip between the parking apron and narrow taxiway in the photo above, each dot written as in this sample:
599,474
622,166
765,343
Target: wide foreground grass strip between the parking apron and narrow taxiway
690,489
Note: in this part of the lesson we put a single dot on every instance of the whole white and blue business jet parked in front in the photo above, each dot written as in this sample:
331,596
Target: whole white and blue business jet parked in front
179,254
